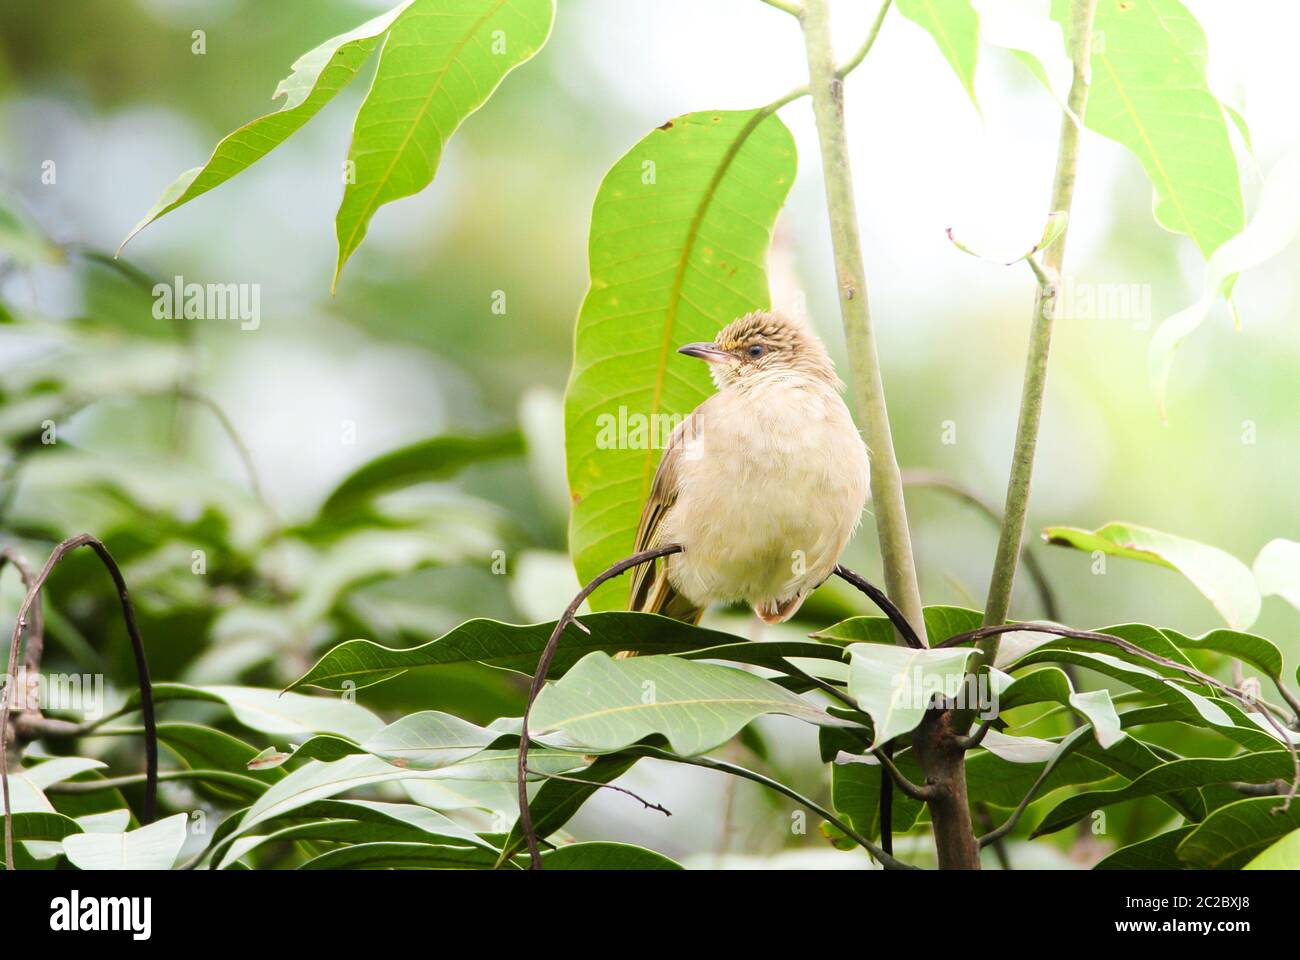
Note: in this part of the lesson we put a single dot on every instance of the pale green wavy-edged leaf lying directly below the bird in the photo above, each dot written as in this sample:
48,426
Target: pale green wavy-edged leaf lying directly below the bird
608,704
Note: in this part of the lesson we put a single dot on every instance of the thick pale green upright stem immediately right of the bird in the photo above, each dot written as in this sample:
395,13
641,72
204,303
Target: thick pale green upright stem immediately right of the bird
827,88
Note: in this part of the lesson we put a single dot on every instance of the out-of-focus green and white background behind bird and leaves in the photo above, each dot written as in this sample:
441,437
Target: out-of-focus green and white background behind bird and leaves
410,349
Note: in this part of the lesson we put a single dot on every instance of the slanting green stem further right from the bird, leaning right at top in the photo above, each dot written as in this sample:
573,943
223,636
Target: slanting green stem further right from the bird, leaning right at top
1041,335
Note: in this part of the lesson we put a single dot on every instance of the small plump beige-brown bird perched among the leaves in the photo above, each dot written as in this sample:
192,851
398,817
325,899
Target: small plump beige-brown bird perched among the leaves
762,485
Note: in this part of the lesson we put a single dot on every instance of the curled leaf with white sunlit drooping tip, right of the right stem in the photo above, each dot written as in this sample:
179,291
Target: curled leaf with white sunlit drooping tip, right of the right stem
1221,578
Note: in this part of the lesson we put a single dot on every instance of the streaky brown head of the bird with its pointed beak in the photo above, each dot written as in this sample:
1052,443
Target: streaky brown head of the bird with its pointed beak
761,348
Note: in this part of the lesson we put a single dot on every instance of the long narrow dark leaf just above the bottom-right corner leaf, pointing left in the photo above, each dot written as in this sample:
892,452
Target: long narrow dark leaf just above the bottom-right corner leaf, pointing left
1180,775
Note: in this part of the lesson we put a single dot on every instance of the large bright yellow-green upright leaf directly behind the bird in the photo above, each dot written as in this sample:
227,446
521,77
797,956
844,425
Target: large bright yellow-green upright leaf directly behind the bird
679,239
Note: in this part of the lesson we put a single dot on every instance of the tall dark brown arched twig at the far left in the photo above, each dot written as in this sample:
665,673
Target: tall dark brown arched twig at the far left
142,671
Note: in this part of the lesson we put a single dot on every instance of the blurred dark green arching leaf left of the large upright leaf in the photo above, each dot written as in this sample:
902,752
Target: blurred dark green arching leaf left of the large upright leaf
436,459
